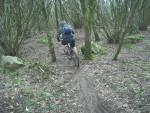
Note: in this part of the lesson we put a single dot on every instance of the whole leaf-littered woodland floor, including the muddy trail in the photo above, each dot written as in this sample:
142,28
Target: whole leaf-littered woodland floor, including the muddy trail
99,86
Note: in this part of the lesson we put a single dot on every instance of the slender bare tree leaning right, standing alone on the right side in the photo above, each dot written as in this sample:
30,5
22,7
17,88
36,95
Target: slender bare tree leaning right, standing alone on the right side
130,7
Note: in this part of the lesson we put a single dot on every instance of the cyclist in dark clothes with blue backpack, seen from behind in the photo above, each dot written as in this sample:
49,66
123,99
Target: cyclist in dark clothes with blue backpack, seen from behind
66,35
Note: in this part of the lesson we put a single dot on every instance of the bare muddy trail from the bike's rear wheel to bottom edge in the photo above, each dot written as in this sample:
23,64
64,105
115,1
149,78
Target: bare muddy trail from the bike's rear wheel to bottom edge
88,96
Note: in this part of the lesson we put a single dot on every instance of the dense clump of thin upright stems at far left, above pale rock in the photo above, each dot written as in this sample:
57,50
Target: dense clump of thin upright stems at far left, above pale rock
15,20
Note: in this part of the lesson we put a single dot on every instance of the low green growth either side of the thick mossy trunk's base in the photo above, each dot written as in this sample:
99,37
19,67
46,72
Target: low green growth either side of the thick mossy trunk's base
96,48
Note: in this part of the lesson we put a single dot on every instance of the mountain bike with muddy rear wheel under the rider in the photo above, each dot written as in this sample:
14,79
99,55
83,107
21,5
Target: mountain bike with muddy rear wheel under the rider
72,55
